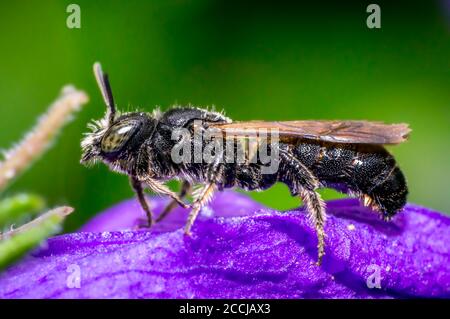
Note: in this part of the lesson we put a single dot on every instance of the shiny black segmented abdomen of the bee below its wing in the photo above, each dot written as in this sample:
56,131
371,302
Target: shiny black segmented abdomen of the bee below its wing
368,171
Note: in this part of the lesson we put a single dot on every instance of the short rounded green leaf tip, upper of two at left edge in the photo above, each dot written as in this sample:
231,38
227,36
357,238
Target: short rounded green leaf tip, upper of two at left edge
14,209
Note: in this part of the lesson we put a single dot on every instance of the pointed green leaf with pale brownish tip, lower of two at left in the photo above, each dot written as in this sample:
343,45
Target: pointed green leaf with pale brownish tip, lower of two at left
16,243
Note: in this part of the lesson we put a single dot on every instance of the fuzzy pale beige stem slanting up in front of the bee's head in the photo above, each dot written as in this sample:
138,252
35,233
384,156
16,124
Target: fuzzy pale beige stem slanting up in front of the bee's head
40,137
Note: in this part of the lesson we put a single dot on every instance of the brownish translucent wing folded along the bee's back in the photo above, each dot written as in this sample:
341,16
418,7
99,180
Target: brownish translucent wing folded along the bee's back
353,132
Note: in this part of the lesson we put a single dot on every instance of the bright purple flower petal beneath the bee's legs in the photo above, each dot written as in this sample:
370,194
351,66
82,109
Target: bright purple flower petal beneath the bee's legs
241,250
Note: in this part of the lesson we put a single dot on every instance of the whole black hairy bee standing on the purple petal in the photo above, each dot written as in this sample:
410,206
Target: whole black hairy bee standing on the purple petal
345,155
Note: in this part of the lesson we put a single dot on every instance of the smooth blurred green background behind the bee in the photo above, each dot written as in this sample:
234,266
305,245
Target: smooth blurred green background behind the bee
255,59
